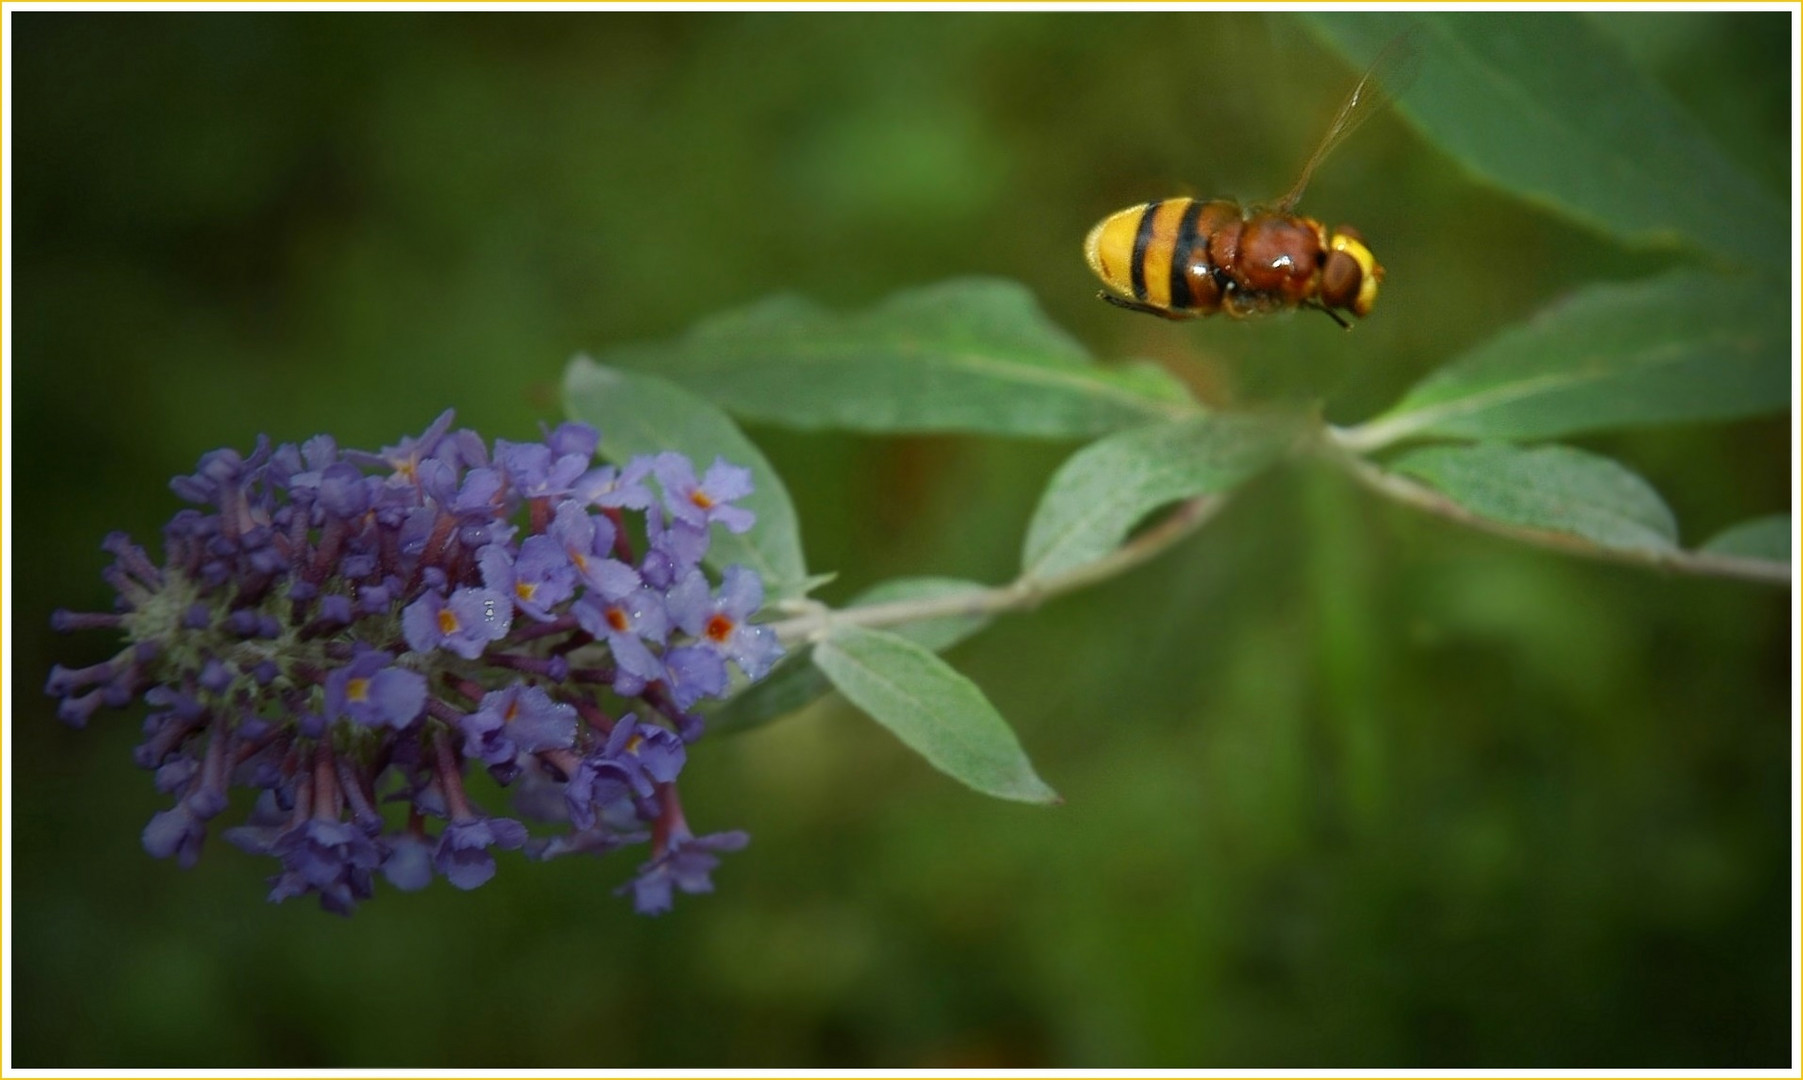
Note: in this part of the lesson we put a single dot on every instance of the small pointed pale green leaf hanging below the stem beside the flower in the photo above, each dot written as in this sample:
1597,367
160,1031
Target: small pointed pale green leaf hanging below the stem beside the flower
933,709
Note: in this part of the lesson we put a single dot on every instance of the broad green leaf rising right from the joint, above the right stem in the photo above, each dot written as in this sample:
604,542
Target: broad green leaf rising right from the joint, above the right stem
1681,347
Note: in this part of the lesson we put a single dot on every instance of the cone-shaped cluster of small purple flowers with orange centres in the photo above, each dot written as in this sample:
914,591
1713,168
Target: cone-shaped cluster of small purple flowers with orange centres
349,634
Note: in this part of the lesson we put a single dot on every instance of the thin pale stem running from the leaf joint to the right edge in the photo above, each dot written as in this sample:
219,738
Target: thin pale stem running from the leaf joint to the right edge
1342,450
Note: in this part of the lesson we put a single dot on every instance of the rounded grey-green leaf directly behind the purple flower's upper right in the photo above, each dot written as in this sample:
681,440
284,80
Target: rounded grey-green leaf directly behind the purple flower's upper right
645,416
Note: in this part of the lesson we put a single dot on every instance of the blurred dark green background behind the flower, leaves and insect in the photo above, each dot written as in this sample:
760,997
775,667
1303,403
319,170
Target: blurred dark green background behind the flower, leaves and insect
1346,787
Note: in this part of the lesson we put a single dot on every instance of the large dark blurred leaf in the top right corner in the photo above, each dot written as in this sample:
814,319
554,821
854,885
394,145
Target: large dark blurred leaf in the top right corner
1548,107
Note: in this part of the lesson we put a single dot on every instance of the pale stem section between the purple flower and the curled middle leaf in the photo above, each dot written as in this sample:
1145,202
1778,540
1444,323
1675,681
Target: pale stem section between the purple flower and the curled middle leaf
1023,594
